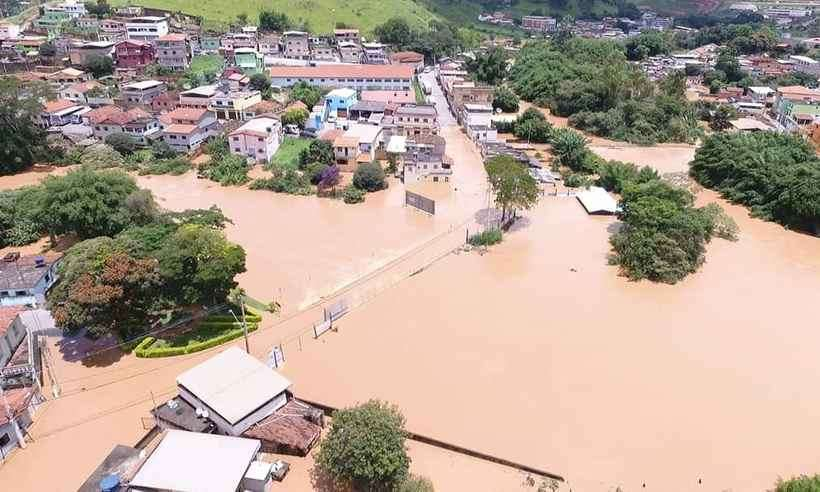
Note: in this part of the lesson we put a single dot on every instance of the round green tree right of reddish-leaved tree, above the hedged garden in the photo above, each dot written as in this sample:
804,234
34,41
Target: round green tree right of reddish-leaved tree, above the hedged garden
199,265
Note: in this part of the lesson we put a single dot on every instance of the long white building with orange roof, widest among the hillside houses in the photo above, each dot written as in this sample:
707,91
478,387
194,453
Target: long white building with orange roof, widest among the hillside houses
358,77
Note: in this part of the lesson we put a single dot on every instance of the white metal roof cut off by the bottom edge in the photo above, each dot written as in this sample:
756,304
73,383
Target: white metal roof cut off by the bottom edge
195,462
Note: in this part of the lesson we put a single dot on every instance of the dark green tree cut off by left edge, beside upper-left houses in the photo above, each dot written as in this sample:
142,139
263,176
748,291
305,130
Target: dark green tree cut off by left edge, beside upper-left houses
22,142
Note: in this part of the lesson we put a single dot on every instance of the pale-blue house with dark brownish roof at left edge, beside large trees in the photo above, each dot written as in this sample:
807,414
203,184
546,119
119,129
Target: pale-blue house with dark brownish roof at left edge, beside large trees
27,279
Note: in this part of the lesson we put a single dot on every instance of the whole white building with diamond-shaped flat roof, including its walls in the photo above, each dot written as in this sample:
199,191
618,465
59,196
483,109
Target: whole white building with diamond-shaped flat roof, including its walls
235,389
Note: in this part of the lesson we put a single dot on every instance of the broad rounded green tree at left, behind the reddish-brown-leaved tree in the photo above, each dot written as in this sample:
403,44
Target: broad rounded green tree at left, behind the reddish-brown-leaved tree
87,203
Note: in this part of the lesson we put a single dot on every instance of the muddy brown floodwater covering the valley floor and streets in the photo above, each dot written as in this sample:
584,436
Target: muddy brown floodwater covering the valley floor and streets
536,351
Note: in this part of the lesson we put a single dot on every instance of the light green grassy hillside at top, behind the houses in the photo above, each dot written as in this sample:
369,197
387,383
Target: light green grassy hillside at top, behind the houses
320,16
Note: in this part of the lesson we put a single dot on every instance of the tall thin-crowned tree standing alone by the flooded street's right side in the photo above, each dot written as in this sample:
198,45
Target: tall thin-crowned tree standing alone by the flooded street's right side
512,185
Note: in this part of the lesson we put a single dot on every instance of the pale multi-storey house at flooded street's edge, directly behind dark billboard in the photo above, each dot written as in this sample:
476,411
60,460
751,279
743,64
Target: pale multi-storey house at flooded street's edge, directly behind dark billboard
424,159
